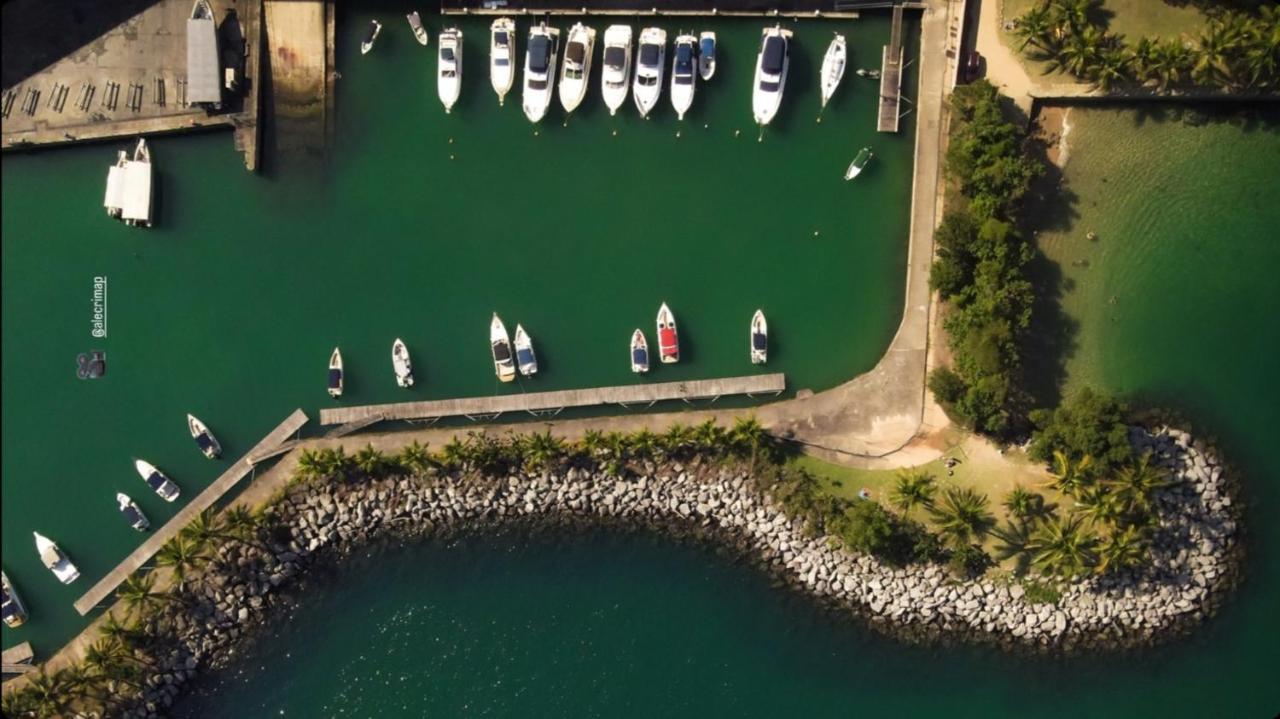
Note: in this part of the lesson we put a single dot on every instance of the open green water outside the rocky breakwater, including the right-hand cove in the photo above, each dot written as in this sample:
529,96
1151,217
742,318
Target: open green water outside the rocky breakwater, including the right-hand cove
609,626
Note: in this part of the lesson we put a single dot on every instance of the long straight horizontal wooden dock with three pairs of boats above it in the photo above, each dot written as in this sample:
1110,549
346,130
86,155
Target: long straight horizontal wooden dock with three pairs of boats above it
554,402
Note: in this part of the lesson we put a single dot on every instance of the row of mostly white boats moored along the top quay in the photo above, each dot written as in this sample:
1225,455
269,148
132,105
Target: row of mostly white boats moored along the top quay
630,65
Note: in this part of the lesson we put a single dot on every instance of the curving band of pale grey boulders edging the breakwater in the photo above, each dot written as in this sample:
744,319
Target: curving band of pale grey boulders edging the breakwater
1195,560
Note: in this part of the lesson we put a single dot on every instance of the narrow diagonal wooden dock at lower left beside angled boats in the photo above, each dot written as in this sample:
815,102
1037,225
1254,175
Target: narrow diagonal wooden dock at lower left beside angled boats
204,501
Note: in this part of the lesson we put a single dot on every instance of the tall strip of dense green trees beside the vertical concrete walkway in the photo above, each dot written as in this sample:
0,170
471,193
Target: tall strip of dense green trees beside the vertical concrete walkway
981,267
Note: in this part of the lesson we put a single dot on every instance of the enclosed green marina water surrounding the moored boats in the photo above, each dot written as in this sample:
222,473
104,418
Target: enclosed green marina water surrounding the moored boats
231,306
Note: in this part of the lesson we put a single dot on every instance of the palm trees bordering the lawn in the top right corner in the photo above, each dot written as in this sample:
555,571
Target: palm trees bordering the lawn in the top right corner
1238,49
